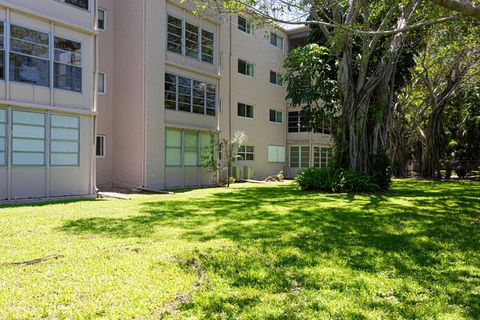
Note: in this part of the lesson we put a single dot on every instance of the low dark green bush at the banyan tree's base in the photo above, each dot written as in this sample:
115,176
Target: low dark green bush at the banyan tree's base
335,180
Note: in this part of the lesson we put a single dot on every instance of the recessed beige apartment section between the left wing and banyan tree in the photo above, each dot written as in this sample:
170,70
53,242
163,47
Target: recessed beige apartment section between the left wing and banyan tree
175,79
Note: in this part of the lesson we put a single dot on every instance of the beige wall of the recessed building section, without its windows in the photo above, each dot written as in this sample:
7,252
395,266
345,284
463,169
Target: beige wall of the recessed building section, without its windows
132,115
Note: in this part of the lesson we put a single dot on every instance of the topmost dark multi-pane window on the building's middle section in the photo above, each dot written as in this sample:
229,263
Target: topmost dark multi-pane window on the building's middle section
197,44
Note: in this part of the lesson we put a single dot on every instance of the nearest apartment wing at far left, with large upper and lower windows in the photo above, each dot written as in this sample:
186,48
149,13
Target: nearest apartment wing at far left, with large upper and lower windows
47,98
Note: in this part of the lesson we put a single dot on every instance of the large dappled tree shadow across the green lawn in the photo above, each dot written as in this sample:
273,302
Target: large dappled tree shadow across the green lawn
278,235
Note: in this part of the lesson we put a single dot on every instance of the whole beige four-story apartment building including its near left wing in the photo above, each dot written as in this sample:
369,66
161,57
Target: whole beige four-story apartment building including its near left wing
143,86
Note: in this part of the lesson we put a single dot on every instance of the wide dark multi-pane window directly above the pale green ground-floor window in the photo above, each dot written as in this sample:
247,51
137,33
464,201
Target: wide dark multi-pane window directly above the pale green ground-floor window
184,94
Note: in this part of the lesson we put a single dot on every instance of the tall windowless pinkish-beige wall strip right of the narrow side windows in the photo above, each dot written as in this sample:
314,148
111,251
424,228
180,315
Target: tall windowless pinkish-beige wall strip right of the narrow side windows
128,94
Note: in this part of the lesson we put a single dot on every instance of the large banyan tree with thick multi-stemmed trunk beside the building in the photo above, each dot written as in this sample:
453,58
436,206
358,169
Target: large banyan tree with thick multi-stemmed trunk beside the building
368,42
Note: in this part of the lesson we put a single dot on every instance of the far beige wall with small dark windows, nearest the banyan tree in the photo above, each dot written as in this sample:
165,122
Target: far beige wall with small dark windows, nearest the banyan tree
256,91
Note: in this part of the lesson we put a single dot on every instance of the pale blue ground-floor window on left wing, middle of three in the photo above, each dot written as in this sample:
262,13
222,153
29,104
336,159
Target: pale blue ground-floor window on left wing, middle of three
28,138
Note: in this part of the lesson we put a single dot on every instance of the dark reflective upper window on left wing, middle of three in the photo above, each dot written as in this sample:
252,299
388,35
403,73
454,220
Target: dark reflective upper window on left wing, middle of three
29,56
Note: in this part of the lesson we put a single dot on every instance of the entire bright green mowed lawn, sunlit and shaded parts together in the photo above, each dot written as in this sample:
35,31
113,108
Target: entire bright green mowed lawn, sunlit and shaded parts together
248,252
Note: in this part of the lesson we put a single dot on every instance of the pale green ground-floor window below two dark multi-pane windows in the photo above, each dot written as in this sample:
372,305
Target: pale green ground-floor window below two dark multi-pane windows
186,147
